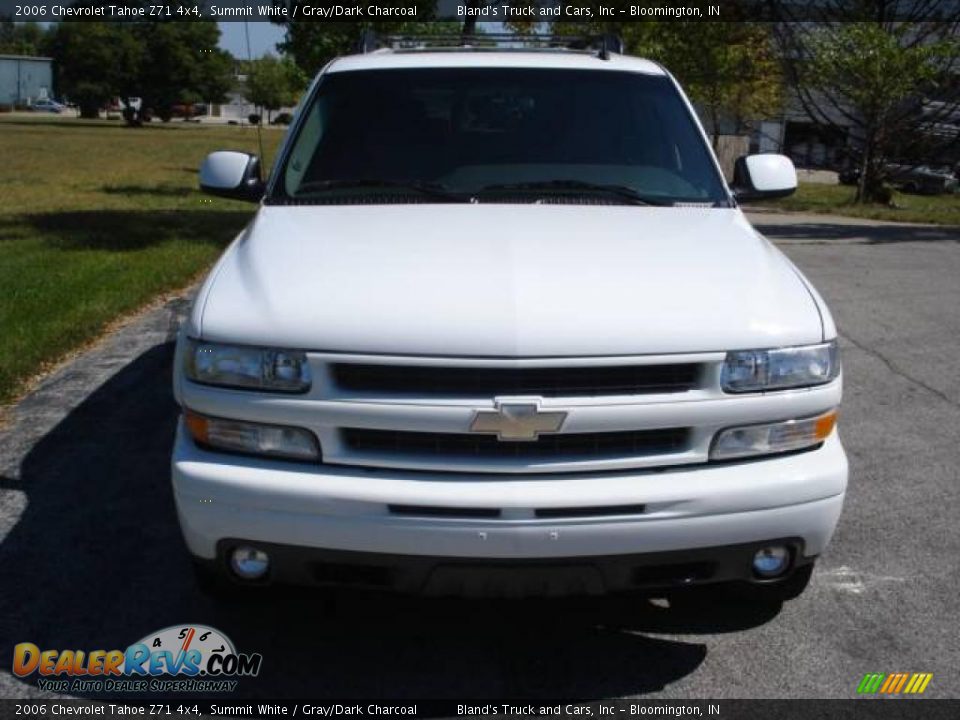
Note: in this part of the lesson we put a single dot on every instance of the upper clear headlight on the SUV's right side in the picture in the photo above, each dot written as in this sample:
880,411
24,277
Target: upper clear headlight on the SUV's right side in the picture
779,369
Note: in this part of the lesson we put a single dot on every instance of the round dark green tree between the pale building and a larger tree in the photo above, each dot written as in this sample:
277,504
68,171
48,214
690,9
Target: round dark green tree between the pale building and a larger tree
95,61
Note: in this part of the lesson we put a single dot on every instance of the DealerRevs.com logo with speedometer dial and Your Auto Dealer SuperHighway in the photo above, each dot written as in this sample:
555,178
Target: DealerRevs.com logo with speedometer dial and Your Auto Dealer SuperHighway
180,658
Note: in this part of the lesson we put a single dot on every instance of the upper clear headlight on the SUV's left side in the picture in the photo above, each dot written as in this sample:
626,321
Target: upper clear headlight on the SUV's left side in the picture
254,368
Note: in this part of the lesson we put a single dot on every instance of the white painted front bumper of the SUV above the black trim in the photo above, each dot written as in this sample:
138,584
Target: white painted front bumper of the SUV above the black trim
222,499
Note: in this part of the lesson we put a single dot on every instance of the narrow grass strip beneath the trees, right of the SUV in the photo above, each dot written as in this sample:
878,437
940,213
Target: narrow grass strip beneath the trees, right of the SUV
838,200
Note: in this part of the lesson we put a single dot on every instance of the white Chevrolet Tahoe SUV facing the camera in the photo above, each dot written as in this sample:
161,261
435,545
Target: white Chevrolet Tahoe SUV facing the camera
500,327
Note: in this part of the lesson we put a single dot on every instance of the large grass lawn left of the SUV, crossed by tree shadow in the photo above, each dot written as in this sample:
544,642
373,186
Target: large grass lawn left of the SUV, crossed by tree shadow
96,220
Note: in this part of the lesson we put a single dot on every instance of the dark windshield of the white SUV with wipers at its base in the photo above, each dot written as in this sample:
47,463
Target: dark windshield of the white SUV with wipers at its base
498,135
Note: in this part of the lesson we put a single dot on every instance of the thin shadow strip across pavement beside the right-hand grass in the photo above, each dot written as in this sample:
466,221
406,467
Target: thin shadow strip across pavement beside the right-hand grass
867,234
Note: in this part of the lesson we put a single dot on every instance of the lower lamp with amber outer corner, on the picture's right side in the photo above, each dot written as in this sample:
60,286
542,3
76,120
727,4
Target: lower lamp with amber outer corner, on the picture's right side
772,438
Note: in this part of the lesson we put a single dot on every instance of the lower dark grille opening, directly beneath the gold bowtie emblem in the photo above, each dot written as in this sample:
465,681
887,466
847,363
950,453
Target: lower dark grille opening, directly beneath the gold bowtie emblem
634,443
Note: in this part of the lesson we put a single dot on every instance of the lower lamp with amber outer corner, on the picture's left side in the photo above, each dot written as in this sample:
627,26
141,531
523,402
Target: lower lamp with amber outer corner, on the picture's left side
282,441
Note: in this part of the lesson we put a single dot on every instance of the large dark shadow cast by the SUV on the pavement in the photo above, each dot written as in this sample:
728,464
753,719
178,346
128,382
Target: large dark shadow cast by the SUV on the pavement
96,562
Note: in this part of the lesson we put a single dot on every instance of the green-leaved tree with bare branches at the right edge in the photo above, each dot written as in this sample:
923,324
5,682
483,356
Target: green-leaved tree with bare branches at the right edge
890,81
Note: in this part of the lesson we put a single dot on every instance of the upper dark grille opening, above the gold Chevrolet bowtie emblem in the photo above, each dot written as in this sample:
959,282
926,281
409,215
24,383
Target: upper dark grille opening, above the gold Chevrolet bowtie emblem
429,381
